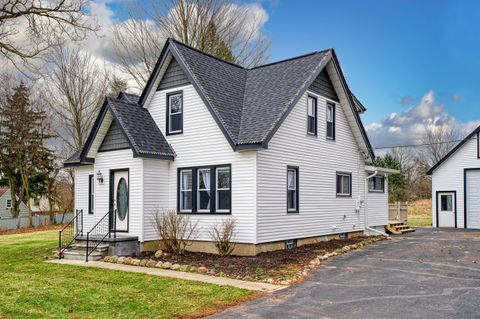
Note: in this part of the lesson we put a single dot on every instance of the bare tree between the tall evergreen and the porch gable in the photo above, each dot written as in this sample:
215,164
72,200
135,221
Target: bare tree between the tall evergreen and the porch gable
76,85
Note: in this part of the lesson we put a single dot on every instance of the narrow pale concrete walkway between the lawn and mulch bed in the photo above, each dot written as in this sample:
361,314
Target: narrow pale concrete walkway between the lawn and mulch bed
255,286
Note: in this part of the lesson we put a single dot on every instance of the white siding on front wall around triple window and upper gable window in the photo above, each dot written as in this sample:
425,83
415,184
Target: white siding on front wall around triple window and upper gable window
203,144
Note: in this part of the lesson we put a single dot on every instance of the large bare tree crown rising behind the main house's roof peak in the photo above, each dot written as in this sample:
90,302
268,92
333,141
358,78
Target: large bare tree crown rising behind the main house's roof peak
218,27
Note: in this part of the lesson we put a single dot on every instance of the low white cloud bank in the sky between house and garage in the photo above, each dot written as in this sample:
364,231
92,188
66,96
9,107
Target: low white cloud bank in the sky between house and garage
408,127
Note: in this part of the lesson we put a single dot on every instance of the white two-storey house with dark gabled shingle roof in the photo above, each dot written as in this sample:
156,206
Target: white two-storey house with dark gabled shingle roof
280,148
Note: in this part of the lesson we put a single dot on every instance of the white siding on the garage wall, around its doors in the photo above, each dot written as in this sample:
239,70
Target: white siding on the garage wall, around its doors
449,177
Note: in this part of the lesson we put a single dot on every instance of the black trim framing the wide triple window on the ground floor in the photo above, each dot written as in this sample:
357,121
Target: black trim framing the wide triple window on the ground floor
213,190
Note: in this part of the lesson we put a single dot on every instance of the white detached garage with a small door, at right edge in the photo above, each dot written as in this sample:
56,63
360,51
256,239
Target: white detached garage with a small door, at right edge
456,186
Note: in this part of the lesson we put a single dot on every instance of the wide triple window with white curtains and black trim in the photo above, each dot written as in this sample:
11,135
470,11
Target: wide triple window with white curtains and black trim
205,189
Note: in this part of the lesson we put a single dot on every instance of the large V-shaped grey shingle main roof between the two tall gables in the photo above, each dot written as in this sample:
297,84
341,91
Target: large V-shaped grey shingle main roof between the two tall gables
250,103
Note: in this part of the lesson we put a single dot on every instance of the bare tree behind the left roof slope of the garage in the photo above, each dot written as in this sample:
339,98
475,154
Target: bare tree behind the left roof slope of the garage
438,141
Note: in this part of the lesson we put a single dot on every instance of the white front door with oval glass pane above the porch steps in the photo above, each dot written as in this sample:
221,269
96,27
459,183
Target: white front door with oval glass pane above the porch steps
119,200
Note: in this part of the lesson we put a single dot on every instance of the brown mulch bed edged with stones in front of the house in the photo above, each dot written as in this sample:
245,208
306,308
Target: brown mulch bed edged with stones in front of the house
277,265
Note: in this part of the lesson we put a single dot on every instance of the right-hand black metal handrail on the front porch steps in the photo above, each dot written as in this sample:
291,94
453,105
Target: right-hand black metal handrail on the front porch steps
105,227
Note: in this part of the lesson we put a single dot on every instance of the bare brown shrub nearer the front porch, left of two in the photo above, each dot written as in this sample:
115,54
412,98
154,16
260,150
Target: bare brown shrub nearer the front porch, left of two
175,230
